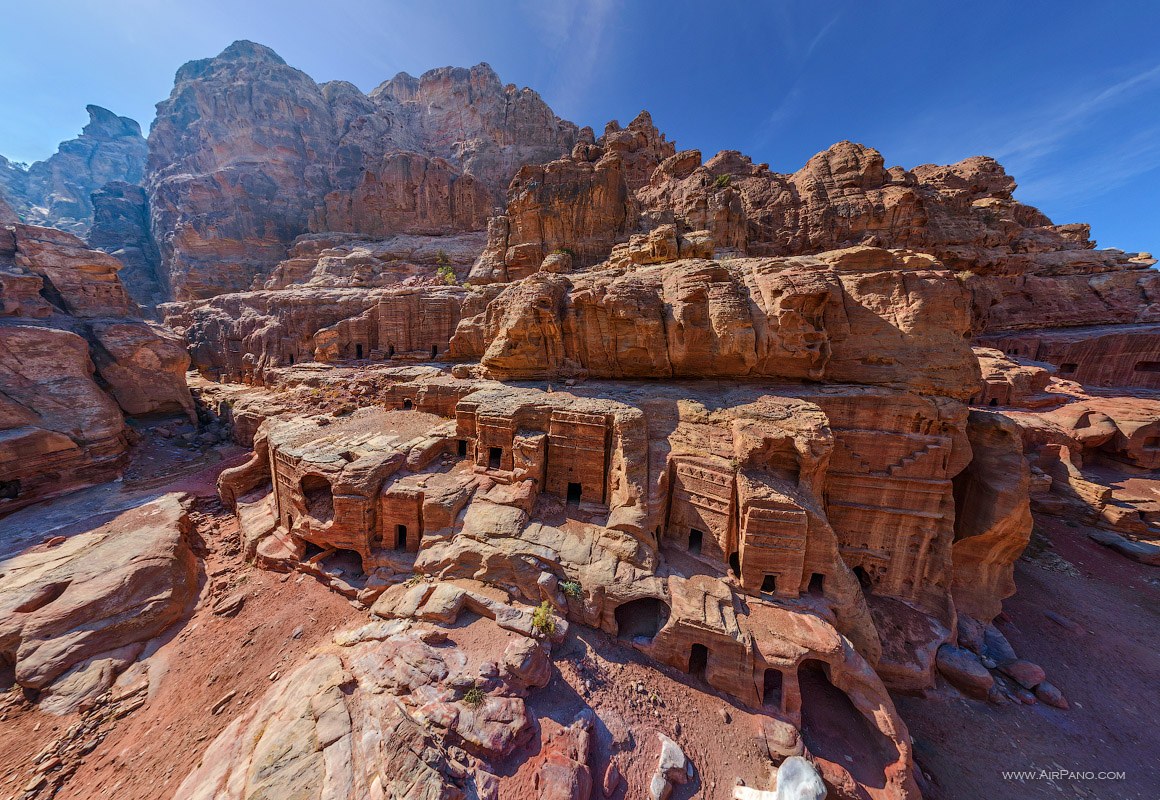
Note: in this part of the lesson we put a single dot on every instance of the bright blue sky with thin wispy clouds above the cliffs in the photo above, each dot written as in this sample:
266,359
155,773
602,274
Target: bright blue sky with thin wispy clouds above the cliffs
1067,94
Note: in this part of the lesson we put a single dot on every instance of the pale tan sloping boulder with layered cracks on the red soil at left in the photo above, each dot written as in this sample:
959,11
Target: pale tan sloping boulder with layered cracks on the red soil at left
77,614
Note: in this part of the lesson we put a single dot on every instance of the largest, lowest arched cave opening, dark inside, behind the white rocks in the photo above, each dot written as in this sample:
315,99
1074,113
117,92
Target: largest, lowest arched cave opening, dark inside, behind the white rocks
835,730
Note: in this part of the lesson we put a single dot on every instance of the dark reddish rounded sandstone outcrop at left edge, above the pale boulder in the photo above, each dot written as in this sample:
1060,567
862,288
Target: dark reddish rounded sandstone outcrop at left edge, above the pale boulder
75,359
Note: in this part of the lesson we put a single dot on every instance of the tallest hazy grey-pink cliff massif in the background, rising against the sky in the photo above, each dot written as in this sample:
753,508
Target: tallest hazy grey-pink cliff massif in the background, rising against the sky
248,154
